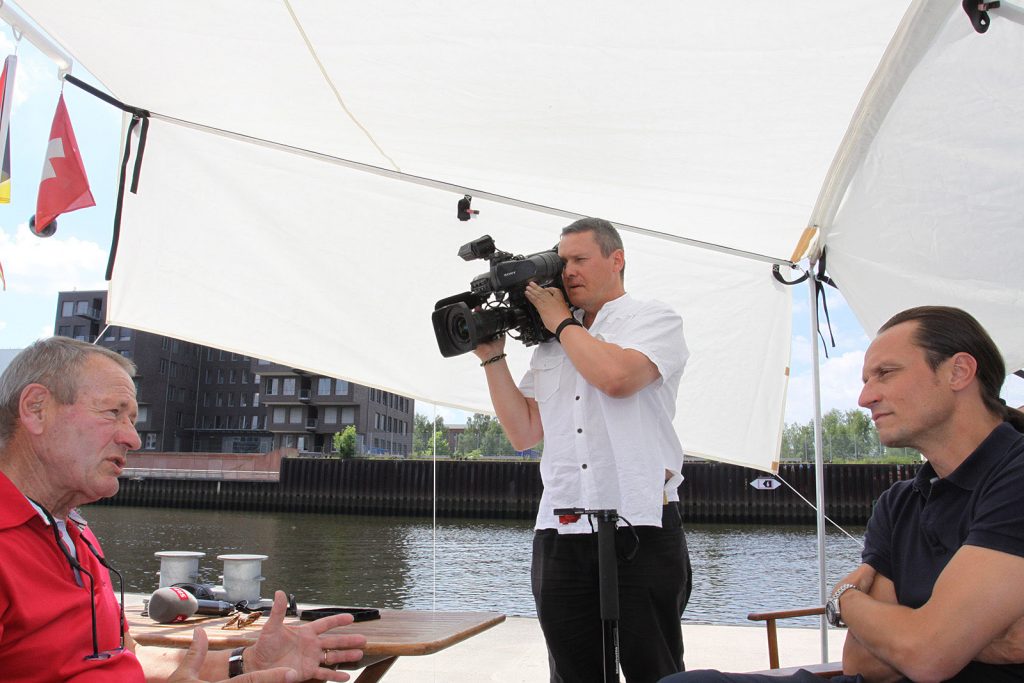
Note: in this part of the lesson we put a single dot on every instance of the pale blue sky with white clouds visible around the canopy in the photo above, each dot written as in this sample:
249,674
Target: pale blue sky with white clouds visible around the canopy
76,258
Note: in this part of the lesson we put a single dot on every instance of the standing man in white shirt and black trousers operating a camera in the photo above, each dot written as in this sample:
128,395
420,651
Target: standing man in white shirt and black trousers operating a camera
604,401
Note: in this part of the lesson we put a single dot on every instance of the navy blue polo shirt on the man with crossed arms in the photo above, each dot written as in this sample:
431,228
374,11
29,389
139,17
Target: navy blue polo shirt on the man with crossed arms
919,526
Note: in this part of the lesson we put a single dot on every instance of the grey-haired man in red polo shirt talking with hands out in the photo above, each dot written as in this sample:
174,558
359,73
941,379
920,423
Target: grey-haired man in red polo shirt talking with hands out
67,421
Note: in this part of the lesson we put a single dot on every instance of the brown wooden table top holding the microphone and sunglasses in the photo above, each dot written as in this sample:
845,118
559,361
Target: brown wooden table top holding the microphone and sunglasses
397,633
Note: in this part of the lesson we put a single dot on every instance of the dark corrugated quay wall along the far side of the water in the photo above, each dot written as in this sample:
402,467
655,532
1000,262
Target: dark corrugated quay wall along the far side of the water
712,493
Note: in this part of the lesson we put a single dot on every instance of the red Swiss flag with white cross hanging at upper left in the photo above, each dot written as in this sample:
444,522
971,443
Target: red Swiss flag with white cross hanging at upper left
65,187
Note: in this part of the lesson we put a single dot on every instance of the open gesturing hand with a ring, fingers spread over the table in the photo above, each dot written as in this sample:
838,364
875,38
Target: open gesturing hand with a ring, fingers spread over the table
310,650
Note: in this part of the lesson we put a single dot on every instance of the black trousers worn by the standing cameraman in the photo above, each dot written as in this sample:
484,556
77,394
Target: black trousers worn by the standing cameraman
654,589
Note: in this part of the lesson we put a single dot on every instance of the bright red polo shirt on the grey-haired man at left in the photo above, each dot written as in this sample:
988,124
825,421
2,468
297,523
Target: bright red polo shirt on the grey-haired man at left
46,623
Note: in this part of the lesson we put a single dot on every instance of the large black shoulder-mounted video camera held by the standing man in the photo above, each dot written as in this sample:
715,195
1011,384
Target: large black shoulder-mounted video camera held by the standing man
497,301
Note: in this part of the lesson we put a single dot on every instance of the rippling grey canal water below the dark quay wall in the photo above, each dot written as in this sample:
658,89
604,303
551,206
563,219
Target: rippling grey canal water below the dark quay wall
405,563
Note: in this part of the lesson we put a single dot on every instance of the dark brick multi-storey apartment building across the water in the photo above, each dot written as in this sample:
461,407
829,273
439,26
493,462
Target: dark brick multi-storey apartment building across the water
204,400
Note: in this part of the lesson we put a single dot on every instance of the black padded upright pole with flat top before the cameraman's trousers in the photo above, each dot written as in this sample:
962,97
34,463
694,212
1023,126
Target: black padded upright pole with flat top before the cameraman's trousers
608,579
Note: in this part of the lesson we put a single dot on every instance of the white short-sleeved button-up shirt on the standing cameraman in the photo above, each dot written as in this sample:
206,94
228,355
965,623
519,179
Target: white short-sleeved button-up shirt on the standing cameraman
605,453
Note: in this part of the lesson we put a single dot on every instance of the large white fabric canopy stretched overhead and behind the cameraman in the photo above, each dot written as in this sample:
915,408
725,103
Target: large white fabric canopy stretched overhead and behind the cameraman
297,198
